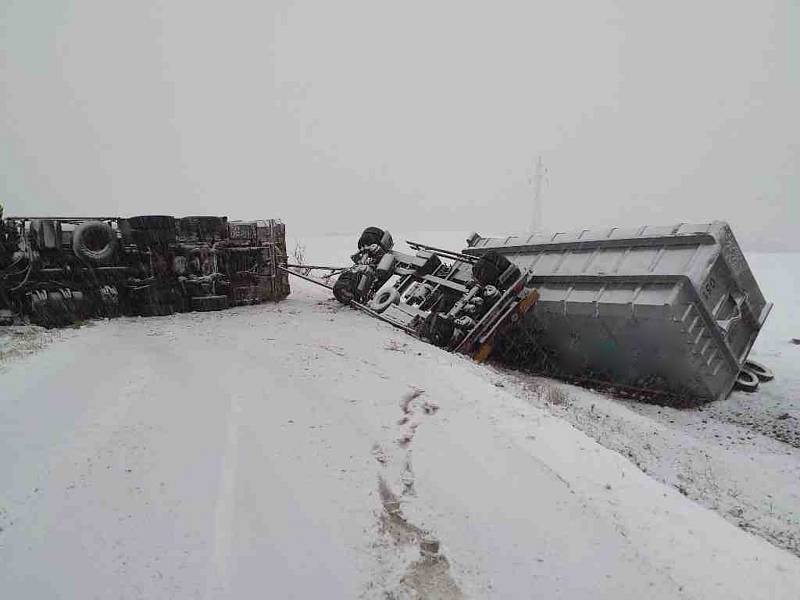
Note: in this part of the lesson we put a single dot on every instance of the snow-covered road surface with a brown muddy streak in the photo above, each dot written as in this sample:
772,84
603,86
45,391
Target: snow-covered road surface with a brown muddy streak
303,450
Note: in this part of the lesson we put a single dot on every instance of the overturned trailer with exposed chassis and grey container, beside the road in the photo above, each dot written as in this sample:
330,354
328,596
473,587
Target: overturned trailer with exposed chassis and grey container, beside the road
664,313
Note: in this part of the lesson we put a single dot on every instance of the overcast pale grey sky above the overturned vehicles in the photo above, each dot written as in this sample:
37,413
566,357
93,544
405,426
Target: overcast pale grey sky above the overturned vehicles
334,115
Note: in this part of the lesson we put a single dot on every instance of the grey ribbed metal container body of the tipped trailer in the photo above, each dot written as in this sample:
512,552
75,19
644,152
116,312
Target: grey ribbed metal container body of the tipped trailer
671,309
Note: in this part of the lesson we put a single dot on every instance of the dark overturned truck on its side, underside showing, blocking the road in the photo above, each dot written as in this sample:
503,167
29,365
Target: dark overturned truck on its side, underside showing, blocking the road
56,271
